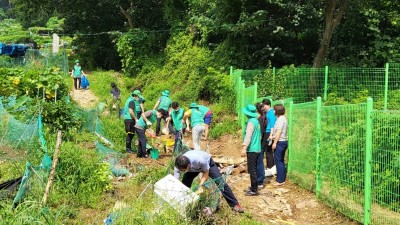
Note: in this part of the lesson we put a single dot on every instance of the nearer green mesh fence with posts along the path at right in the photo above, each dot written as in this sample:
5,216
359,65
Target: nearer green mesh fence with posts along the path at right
350,156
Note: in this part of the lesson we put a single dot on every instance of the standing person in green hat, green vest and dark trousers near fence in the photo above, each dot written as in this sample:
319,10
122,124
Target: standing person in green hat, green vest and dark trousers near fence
252,146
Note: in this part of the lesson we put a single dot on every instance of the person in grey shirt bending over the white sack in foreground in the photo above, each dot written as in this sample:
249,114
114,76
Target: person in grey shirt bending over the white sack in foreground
195,161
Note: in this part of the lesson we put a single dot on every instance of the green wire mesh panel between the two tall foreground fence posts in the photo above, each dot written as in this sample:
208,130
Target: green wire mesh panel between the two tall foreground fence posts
342,156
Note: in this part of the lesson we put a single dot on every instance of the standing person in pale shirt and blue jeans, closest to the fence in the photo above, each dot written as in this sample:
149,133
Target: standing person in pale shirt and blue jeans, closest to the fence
280,144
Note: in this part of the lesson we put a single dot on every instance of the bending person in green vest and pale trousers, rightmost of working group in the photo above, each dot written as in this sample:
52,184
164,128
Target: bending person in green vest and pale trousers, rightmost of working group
196,122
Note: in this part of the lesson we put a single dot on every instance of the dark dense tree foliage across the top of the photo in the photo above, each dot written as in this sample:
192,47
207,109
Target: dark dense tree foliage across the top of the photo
245,34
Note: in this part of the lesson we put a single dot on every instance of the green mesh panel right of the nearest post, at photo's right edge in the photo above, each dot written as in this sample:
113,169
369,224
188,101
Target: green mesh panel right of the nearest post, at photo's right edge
386,168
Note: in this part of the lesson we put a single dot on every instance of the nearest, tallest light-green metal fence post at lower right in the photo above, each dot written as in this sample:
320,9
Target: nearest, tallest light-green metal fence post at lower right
368,161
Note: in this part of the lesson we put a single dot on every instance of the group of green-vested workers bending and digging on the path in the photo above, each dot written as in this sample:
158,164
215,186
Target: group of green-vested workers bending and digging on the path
196,119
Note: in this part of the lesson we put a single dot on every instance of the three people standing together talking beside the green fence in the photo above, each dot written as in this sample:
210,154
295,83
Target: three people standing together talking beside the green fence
266,132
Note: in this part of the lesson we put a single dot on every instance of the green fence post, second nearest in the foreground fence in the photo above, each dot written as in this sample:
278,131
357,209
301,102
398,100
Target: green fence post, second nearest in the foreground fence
317,148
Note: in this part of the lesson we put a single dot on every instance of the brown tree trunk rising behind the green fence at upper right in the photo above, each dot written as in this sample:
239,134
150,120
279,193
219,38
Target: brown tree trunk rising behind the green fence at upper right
334,12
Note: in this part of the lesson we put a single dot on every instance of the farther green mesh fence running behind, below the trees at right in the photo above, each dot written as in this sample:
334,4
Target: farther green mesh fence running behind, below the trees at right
335,85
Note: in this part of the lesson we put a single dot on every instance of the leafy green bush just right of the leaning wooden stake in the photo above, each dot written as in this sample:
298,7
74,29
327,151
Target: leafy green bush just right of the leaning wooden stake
81,177
